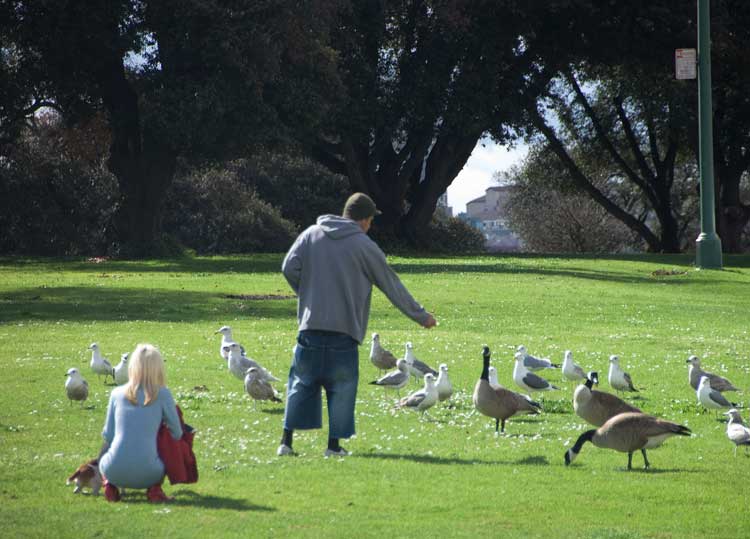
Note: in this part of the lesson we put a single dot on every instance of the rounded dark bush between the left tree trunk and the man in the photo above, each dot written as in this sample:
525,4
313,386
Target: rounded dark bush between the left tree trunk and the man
212,211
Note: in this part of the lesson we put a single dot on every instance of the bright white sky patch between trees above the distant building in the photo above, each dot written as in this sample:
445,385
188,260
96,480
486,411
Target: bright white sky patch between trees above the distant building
476,176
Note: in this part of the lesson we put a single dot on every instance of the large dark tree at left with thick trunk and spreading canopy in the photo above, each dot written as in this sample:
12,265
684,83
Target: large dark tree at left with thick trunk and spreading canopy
193,79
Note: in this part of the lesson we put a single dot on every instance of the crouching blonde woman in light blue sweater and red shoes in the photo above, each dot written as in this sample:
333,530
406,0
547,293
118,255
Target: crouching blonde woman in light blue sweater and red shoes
129,457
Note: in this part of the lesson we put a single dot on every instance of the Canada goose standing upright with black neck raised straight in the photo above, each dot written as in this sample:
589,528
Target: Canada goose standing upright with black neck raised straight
497,402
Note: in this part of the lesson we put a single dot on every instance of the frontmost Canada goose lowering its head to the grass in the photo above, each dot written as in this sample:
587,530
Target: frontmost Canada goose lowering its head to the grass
627,433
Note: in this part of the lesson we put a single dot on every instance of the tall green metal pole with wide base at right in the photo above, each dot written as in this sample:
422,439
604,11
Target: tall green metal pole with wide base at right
708,244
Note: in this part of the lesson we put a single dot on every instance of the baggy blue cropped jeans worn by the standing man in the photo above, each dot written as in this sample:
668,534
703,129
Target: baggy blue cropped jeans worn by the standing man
323,360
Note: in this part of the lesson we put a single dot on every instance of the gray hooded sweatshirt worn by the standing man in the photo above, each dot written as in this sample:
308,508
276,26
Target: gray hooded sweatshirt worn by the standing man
332,266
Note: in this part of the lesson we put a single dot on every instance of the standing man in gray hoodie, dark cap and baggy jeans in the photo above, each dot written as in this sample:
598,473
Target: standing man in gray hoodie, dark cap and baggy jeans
332,266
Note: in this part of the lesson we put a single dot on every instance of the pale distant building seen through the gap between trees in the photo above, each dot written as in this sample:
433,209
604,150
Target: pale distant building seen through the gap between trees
488,214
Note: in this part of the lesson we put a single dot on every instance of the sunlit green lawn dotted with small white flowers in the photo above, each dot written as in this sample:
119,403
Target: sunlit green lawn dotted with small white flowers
447,478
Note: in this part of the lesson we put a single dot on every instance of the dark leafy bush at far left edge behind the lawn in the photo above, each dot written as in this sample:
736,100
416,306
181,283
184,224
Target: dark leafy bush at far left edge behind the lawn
56,195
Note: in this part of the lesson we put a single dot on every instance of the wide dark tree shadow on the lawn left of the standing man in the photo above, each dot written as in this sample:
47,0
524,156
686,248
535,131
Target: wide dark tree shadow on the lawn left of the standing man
121,304
